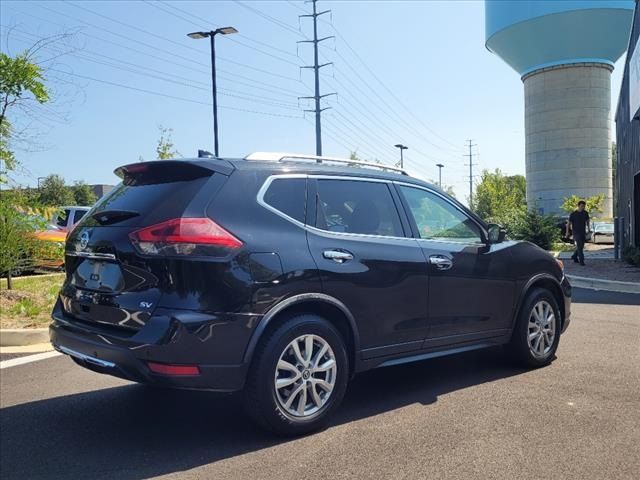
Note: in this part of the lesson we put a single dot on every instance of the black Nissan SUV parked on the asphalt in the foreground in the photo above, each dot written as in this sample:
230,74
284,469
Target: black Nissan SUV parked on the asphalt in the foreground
284,275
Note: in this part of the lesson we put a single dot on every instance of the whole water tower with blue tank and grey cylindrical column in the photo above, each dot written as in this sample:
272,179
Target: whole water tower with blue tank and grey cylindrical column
564,51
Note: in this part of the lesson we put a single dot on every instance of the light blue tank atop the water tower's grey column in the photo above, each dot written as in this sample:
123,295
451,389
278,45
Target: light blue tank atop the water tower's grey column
533,34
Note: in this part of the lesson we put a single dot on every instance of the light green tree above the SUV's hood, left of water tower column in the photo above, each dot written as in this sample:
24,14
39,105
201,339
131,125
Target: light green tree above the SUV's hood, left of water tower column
497,195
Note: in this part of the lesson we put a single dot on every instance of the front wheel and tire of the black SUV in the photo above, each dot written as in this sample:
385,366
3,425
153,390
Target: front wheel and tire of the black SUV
536,333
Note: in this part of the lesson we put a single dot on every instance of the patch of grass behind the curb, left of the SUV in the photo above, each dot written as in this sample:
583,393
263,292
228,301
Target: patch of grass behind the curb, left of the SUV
29,303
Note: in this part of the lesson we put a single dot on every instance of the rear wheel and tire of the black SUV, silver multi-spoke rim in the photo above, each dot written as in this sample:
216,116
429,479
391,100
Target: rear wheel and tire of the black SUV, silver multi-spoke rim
289,390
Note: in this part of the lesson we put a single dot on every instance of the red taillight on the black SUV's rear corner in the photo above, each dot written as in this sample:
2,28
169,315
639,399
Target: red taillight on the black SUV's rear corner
183,236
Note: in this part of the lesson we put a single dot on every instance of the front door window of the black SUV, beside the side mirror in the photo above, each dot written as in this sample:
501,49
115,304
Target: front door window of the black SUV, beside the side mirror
437,219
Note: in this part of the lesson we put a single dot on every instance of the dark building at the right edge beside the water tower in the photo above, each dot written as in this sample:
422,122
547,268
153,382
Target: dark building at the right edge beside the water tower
628,140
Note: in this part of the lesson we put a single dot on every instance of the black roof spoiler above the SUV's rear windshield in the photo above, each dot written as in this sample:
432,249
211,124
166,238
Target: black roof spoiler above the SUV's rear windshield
160,171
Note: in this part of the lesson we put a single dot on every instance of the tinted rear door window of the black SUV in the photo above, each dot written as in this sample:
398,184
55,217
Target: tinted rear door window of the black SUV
361,207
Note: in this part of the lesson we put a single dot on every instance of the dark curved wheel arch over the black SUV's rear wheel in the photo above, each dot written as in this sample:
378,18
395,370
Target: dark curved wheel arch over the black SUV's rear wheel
330,308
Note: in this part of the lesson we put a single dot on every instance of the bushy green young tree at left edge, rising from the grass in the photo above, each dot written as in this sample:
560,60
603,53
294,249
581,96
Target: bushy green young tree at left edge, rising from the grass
16,239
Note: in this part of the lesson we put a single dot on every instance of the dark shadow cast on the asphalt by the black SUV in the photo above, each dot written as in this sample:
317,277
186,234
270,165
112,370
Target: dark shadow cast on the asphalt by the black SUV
135,432
